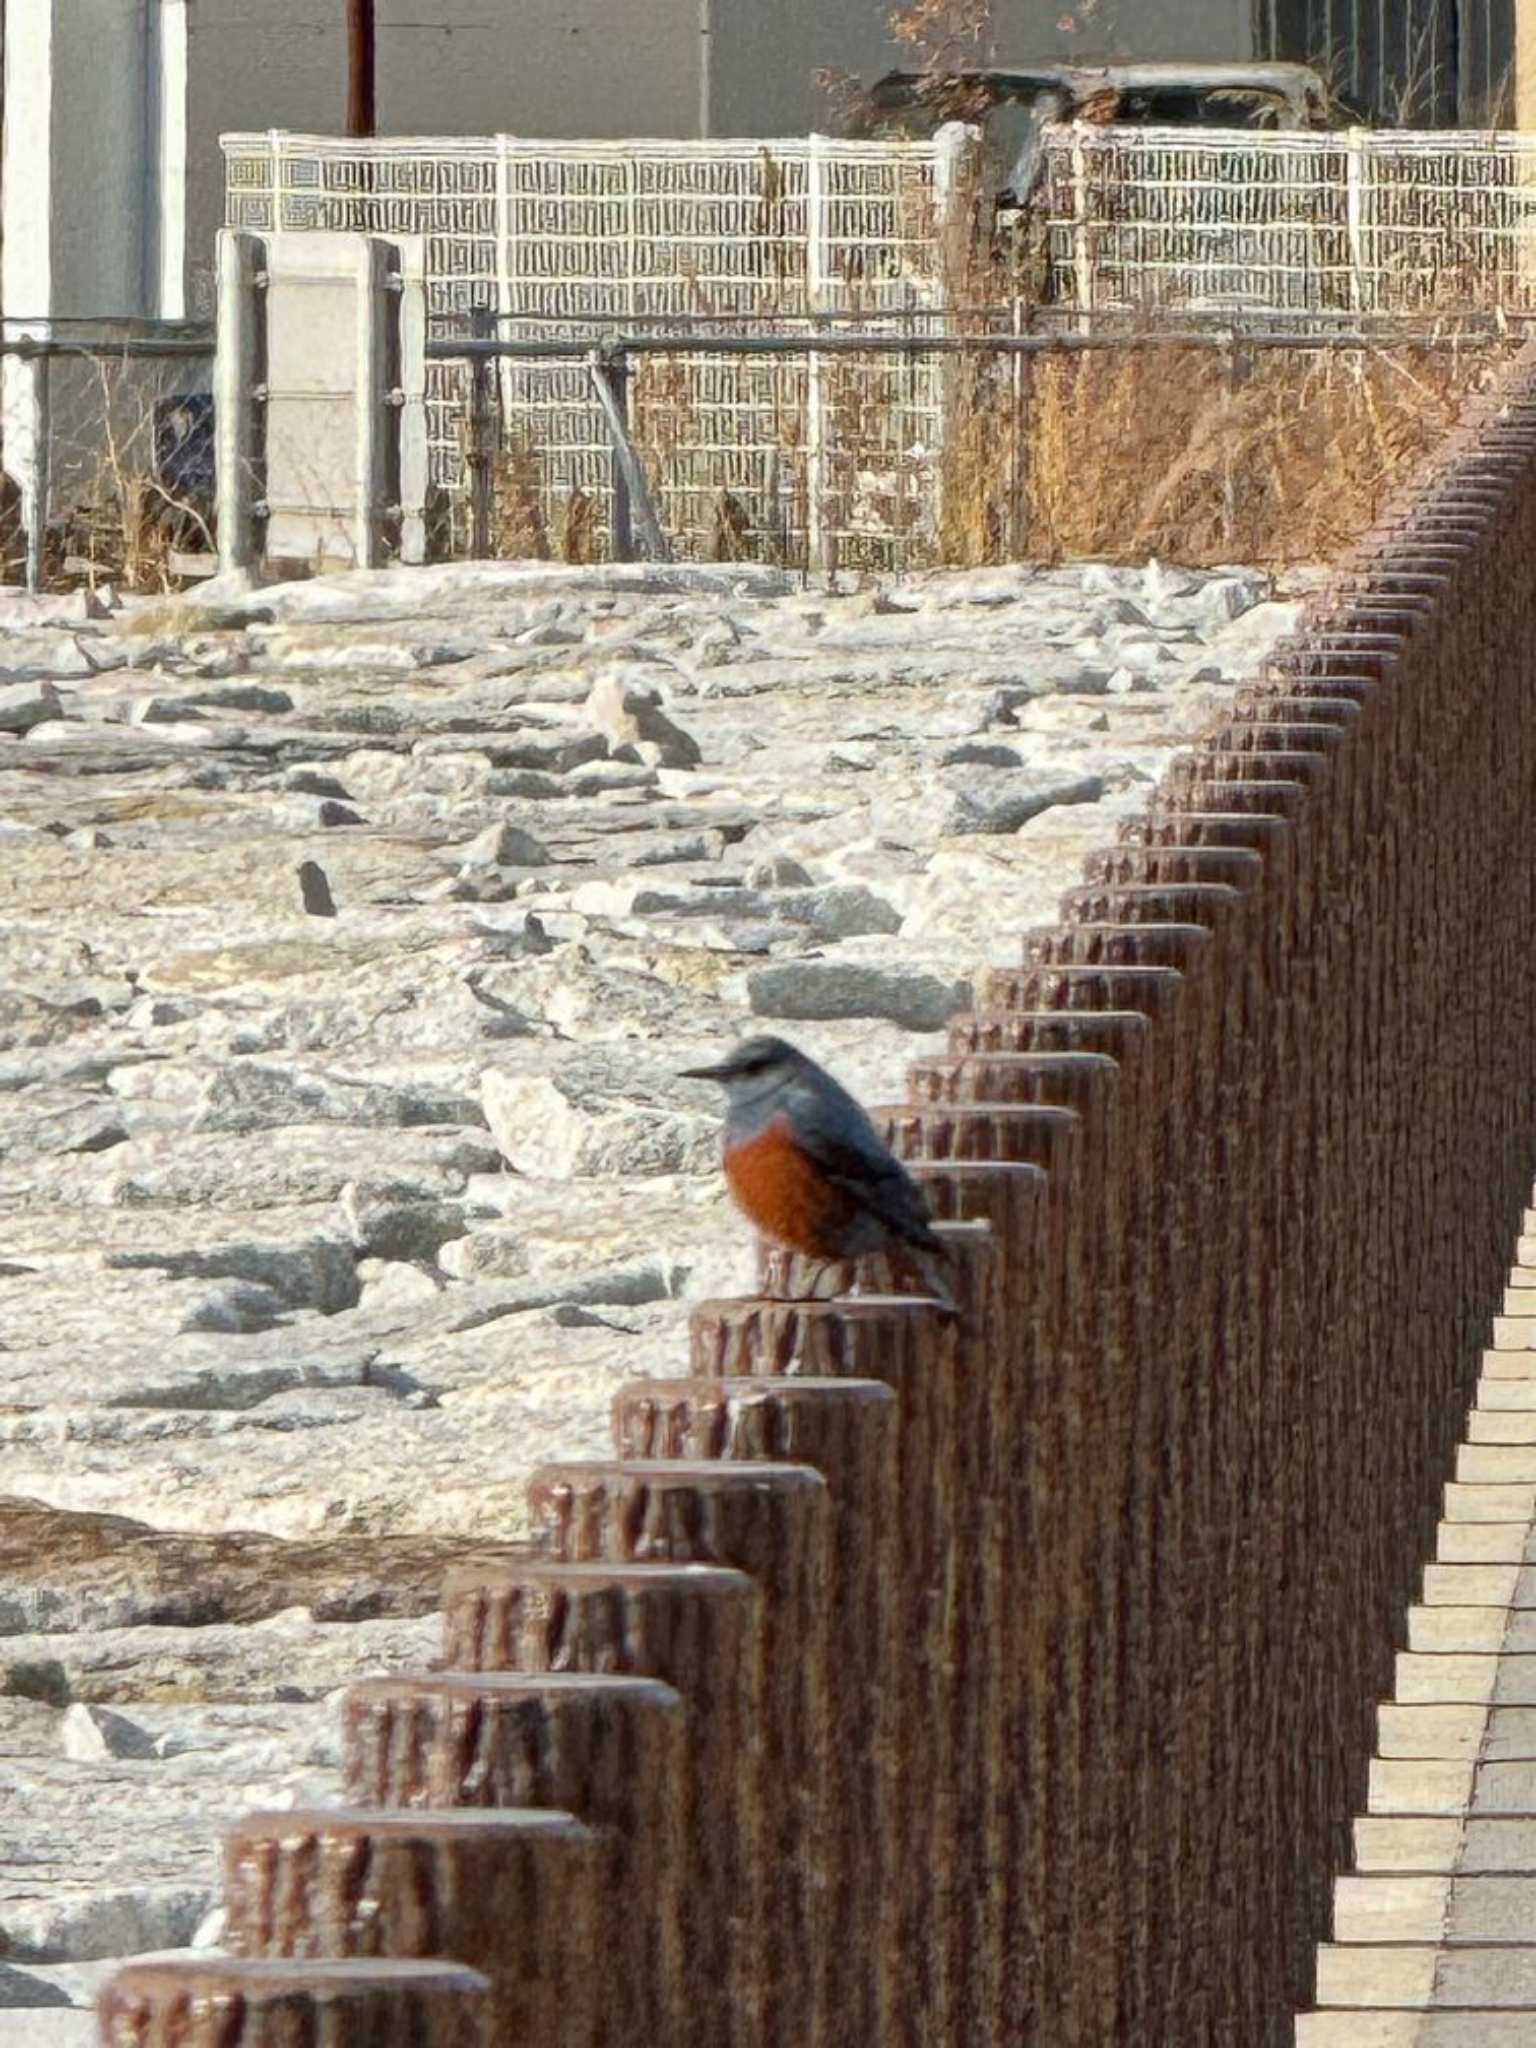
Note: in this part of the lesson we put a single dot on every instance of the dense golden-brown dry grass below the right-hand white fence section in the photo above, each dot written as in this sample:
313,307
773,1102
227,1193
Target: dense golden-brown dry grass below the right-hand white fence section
1203,456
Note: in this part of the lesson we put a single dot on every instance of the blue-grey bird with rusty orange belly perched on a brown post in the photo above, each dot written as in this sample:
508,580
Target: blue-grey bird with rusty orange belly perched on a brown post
810,1168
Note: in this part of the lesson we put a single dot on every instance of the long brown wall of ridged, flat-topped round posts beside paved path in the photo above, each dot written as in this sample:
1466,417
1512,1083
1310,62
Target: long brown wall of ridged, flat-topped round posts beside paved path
1009,1678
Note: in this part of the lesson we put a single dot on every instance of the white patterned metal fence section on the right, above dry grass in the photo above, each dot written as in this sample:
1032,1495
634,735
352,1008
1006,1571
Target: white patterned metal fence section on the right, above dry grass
1328,228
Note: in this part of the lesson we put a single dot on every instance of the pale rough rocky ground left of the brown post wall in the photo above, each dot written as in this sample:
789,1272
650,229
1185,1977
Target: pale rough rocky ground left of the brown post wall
353,935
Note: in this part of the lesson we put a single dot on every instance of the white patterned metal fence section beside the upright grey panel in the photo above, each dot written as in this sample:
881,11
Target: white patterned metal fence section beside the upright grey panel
587,241
